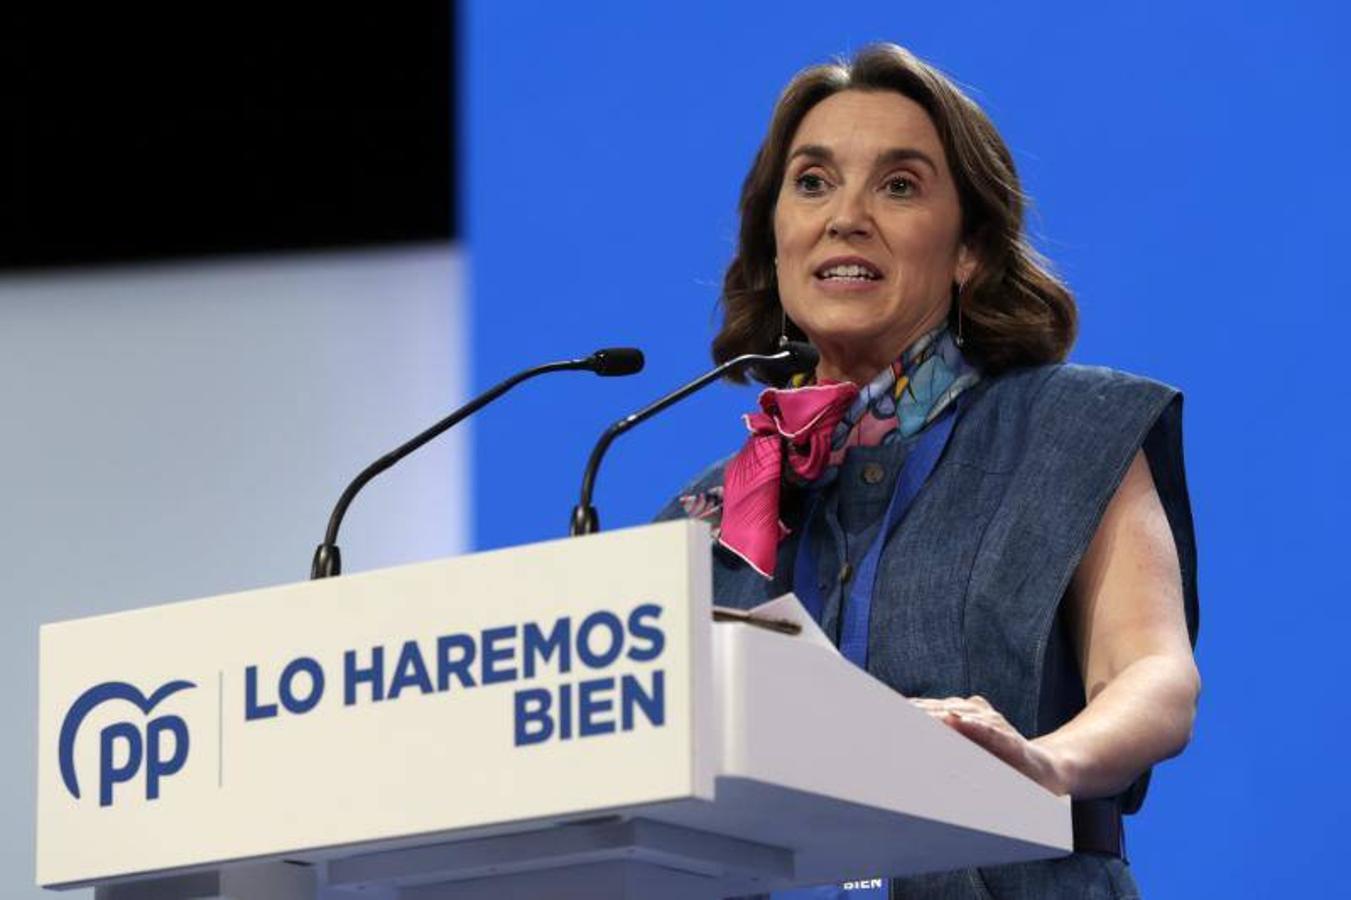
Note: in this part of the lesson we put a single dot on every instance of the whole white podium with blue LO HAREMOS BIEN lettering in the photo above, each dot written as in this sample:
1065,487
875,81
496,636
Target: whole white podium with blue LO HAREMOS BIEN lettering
555,721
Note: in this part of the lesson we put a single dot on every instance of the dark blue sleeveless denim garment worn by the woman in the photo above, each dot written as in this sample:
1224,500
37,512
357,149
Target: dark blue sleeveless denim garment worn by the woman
969,586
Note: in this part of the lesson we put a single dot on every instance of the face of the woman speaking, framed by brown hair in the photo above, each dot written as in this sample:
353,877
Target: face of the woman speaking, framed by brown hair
868,230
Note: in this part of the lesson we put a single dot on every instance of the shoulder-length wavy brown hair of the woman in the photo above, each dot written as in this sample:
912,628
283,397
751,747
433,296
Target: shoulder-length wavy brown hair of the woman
1013,310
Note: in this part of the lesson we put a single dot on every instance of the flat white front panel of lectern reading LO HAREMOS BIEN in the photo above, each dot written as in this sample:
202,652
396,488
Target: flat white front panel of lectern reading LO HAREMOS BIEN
495,689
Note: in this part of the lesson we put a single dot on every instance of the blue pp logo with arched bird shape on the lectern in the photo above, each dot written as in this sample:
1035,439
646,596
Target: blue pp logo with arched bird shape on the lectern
122,748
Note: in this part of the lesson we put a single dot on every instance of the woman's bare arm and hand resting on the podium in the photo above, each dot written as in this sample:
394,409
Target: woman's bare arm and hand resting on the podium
1125,611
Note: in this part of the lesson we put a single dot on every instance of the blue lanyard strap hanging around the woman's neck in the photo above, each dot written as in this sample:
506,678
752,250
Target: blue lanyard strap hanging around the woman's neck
857,614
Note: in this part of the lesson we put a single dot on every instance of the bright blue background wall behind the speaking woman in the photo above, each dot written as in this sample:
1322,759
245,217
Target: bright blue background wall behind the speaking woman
1188,167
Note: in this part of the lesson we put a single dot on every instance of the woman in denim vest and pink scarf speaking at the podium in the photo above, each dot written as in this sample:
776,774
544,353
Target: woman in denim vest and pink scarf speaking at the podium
999,536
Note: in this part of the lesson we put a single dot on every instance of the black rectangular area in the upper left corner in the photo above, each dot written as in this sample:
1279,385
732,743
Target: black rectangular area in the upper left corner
206,130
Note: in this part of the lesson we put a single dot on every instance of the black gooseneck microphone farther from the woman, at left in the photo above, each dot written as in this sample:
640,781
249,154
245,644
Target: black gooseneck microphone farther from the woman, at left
611,361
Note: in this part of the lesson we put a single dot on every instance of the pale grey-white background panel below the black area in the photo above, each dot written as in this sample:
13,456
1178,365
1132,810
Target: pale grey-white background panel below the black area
183,430
